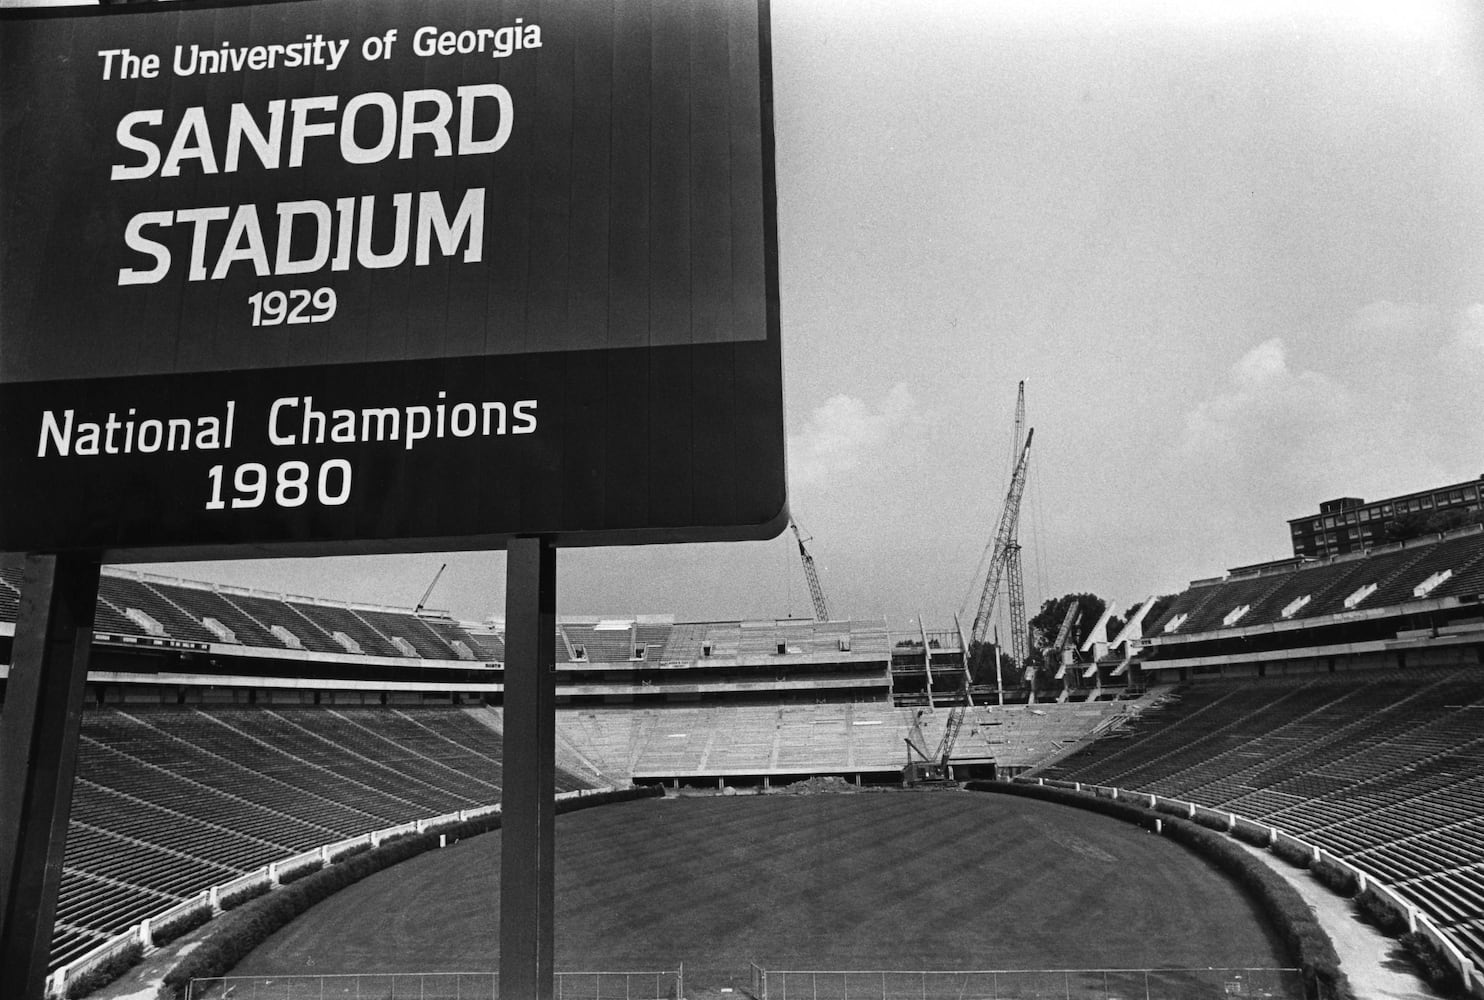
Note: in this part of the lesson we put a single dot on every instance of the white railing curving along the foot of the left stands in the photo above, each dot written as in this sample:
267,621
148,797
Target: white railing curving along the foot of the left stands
271,875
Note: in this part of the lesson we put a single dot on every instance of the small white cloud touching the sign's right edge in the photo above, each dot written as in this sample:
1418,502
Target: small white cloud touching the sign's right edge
845,431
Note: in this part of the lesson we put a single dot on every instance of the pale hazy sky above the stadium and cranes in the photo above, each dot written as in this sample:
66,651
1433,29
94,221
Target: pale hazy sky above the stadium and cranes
1235,251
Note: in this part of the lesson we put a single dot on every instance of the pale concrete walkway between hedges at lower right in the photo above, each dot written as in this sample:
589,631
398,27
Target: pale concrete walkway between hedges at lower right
1375,964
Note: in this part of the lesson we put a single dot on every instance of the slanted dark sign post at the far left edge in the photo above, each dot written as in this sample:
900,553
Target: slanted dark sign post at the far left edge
39,756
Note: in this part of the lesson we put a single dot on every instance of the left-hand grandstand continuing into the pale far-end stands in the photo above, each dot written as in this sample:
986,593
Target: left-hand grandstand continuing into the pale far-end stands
229,729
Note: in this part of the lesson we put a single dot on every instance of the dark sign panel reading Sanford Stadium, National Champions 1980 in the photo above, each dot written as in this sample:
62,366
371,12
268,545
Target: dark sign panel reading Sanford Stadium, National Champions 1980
367,277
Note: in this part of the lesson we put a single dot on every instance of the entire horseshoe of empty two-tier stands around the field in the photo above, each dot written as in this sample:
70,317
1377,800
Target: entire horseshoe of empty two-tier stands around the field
229,729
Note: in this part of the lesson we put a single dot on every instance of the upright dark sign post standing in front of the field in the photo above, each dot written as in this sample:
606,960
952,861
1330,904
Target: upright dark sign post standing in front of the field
529,809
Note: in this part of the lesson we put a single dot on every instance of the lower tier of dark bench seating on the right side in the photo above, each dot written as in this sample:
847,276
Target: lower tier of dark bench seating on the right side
1384,769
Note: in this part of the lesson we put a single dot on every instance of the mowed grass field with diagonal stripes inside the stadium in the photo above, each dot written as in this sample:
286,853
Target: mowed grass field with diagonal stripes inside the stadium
910,881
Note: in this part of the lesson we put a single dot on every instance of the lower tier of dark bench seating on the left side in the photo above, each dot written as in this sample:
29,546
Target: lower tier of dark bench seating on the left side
173,800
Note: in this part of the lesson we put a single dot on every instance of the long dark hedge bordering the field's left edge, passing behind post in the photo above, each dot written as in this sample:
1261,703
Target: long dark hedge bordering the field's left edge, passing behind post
246,928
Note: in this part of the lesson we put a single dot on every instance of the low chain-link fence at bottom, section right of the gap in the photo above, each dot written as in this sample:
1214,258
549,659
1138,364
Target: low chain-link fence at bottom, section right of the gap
1026,984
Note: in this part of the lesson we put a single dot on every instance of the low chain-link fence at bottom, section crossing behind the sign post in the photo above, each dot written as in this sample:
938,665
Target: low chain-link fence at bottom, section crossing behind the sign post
437,986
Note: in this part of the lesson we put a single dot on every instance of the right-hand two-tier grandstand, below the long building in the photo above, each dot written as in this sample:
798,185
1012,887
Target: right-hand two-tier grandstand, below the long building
1339,701
